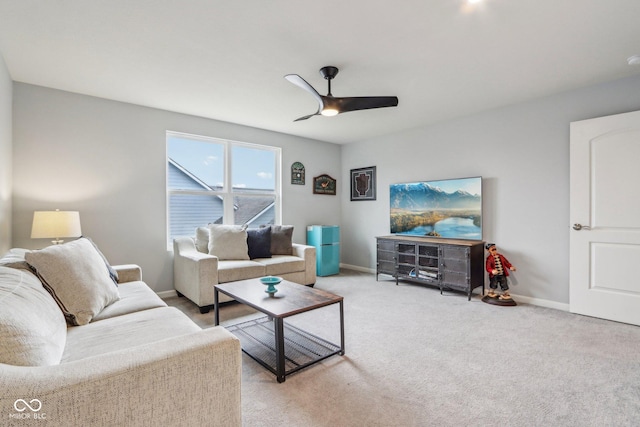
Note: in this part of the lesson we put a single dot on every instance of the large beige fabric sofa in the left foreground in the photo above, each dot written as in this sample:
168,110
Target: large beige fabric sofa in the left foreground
135,361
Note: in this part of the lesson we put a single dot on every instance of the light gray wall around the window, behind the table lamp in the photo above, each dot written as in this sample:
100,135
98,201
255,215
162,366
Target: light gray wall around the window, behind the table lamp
107,160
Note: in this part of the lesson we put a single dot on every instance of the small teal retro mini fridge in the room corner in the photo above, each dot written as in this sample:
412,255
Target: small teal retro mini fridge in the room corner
326,240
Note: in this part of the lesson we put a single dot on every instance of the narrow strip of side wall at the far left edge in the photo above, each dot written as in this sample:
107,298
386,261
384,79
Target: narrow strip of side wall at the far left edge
6,99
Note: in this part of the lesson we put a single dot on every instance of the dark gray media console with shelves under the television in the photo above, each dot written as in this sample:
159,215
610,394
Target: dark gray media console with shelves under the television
448,264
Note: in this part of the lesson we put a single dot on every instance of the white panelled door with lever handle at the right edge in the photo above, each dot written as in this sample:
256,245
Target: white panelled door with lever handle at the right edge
605,218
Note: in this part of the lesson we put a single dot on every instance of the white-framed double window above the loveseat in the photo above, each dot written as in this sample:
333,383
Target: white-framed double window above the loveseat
214,181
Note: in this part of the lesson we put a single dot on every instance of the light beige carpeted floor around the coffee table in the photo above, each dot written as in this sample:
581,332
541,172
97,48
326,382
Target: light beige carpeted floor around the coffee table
418,358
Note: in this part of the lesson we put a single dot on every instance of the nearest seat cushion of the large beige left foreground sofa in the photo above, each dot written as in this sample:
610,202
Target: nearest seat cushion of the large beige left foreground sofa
124,332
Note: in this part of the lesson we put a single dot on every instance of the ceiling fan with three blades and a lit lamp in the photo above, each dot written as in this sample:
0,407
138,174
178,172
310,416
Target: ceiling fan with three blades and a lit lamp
330,105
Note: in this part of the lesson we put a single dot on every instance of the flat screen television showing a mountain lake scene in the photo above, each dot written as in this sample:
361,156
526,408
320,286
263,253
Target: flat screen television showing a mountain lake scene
448,208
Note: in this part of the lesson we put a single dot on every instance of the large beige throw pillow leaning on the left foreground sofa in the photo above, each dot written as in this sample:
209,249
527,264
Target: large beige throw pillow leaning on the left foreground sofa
75,275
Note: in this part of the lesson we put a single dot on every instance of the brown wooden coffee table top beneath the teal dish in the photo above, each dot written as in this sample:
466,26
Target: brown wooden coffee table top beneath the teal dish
290,299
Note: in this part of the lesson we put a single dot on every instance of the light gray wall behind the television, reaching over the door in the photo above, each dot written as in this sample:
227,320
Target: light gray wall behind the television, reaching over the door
522,153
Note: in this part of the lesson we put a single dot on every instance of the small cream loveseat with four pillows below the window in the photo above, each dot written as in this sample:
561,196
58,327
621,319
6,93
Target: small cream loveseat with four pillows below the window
221,254
